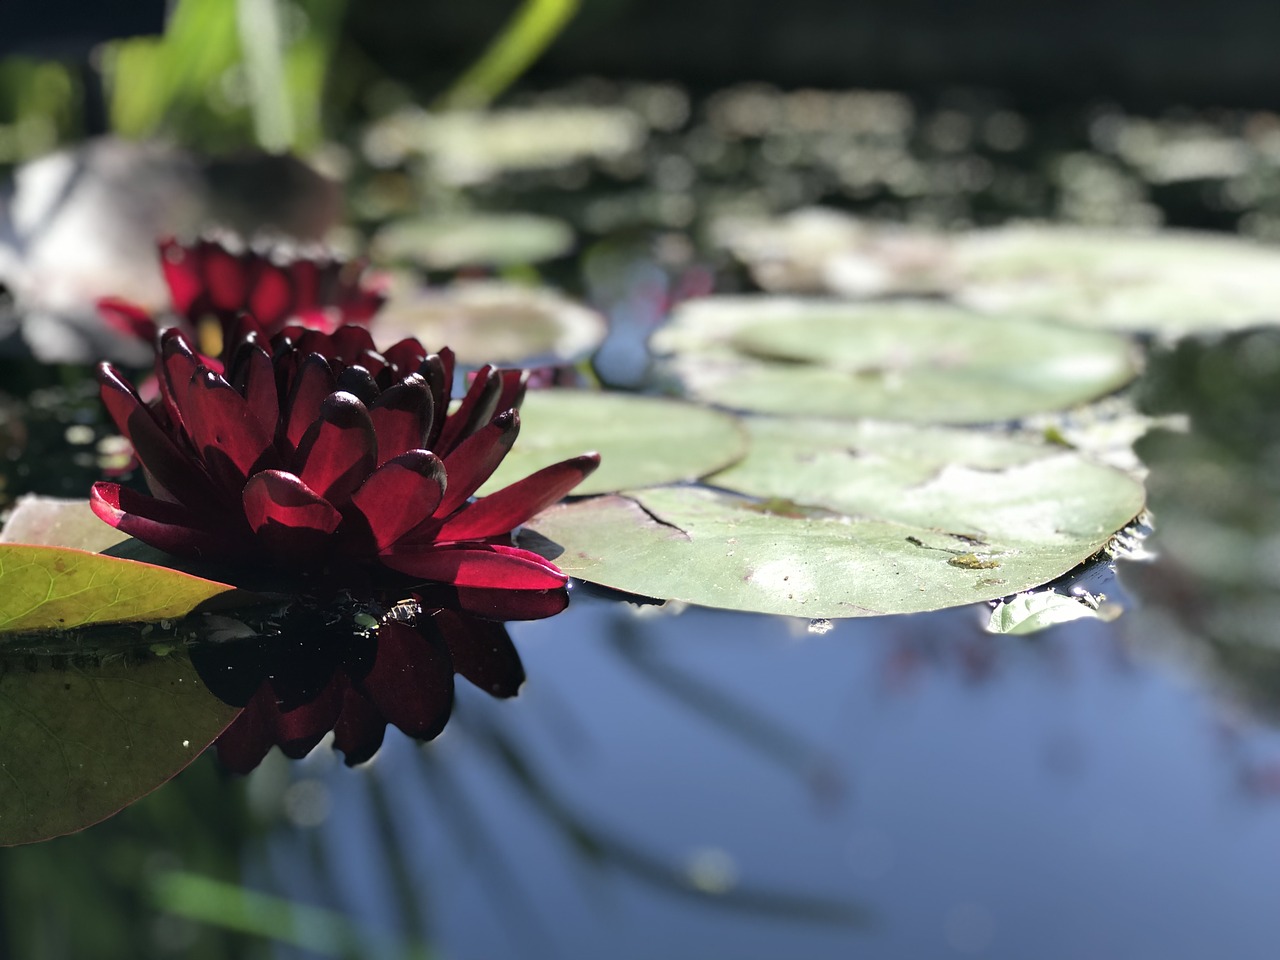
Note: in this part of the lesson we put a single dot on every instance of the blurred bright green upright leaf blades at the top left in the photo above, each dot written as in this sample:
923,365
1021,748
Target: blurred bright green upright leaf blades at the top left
228,76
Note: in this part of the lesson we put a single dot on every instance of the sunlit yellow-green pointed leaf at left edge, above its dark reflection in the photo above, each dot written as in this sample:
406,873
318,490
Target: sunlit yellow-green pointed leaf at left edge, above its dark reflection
57,588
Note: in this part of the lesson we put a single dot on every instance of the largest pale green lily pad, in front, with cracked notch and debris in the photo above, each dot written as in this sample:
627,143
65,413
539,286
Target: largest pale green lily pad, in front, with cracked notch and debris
844,524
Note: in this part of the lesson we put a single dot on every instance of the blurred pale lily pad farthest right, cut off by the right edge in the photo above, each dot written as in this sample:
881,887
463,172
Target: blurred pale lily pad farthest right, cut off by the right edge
1172,282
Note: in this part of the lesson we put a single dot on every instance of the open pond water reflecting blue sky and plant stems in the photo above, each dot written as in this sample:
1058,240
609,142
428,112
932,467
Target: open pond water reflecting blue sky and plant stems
684,783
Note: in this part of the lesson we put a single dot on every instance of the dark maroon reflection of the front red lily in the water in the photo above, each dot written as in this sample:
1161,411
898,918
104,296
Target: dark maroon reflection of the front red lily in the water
319,671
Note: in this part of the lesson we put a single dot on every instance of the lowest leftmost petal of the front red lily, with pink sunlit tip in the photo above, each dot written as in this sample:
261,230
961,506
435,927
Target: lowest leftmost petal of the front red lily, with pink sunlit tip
167,527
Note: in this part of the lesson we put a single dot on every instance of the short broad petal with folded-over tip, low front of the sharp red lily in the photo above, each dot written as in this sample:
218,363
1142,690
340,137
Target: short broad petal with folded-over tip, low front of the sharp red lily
289,518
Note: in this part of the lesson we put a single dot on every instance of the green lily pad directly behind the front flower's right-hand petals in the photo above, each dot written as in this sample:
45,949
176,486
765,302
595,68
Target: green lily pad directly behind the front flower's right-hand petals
643,441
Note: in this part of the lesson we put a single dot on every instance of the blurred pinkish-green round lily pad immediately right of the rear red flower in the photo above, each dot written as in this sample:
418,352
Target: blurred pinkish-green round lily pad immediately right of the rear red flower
496,323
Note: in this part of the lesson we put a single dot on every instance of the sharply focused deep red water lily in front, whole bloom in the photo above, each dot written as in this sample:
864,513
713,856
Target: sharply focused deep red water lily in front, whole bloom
317,452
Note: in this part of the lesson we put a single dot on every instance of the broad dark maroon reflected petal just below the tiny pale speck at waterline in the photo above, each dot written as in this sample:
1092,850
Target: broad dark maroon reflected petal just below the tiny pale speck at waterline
413,680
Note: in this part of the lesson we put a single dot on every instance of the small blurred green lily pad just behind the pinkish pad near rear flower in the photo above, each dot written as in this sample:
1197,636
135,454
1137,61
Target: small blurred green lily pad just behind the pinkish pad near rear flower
476,240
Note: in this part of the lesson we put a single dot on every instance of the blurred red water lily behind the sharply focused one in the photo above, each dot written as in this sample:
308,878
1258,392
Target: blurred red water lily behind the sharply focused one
211,280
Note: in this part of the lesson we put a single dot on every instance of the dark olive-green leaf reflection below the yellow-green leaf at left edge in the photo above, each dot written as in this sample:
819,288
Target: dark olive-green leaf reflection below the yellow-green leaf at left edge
84,740
